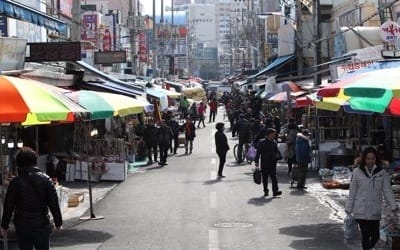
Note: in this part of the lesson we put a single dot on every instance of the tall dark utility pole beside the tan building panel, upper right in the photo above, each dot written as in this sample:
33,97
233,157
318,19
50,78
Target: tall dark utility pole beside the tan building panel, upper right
317,32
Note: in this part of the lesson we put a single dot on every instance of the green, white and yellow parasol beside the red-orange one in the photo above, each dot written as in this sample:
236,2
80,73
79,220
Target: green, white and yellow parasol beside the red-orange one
105,105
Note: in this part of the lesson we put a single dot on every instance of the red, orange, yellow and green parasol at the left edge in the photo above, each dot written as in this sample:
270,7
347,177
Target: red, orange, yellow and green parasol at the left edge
30,102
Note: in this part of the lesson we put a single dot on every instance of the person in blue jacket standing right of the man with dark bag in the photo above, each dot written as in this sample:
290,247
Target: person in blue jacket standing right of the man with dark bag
303,156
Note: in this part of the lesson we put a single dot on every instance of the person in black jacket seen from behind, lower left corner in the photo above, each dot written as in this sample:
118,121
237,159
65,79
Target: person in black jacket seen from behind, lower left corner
29,196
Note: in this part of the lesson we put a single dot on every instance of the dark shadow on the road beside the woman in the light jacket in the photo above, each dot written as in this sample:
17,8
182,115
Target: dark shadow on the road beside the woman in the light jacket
316,236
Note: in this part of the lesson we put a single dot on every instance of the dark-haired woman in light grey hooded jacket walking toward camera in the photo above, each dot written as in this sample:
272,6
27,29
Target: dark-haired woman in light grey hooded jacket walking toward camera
368,184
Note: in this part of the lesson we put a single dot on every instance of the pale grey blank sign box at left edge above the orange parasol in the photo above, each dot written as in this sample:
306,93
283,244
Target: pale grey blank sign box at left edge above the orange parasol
12,53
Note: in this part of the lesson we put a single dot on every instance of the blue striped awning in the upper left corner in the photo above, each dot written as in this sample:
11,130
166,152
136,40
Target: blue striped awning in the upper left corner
22,12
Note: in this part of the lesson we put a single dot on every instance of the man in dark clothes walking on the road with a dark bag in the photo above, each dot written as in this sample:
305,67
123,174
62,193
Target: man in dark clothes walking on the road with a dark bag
267,150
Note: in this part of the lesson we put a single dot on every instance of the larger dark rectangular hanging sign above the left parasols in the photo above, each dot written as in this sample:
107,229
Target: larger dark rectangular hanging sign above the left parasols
54,51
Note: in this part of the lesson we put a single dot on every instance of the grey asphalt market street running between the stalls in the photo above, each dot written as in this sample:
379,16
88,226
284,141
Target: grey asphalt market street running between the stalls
184,206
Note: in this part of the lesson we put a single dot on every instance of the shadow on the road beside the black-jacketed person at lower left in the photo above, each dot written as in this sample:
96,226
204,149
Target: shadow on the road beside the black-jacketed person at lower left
71,237
